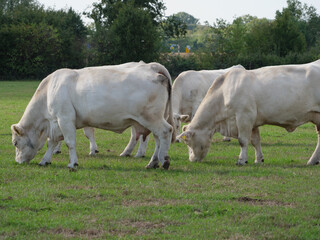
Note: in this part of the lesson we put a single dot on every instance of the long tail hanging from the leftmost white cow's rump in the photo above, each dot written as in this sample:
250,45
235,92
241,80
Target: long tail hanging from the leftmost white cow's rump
169,110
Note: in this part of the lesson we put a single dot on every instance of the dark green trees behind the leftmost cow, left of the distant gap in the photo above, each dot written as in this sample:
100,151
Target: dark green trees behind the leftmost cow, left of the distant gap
36,41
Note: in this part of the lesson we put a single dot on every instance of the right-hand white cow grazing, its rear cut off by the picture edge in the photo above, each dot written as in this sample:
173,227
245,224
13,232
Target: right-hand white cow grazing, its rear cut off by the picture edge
240,101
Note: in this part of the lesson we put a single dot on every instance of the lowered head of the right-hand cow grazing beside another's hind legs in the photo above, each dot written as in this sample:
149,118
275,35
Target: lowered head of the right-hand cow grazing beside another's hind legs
198,142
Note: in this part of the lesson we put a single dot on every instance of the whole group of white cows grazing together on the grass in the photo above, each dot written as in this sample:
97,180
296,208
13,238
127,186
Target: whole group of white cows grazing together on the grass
234,102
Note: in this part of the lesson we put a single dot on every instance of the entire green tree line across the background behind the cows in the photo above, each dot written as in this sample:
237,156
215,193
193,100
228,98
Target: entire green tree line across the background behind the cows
36,41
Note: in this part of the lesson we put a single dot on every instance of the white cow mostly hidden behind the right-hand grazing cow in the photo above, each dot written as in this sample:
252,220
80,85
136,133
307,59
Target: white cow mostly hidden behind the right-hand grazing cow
188,90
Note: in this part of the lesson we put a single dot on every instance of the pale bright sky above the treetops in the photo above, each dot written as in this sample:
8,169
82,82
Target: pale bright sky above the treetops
204,10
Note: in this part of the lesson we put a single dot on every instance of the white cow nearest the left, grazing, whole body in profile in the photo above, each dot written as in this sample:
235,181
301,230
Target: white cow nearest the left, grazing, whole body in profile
109,97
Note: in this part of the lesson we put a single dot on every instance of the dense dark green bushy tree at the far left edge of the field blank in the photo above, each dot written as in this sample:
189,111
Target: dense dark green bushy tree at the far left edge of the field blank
35,41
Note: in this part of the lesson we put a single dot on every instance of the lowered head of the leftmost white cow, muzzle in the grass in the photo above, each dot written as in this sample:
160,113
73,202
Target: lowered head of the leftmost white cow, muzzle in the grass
27,143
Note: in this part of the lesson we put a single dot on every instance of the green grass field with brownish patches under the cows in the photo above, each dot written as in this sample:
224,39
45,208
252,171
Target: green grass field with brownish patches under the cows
111,197
